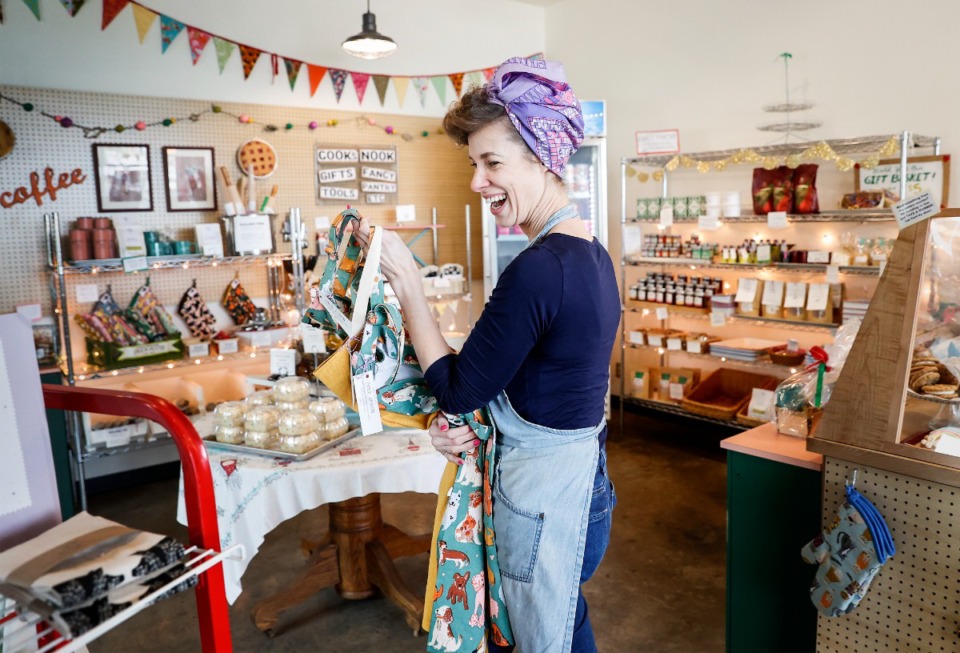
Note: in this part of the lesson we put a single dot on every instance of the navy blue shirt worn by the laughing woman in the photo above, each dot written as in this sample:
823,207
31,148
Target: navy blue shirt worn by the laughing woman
545,336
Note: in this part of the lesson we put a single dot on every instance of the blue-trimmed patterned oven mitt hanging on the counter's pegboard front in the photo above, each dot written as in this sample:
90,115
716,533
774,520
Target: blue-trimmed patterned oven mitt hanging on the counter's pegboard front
849,552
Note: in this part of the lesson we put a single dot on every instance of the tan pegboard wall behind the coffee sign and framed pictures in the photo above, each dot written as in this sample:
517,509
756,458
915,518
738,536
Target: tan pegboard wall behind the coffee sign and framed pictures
433,172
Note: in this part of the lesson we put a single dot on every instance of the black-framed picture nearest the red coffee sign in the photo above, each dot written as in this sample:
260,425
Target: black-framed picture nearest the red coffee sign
123,177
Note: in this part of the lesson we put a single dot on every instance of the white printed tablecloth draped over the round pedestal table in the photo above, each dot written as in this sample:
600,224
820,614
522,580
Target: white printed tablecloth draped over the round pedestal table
256,493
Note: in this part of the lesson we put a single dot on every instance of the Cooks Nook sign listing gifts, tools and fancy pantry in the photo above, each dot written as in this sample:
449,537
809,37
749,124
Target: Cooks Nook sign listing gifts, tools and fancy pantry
357,175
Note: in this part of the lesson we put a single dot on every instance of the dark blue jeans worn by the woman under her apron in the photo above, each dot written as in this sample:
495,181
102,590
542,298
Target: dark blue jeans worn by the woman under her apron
598,537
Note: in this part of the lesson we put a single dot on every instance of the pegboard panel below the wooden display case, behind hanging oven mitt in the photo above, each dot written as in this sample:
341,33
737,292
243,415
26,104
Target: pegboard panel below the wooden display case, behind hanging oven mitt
913,605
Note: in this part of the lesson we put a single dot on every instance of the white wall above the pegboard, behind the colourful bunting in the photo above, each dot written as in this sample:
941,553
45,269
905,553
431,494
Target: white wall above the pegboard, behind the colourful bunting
434,36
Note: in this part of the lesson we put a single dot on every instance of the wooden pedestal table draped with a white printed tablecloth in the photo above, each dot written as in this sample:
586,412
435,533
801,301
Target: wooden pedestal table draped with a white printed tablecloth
256,493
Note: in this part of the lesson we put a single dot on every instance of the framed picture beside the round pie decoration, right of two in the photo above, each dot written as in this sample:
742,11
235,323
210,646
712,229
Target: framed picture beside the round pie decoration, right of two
188,173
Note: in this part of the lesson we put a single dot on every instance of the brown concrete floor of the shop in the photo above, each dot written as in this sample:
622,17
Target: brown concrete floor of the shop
660,587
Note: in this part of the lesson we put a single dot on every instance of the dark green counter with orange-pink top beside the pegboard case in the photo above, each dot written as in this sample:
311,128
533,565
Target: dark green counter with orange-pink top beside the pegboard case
773,509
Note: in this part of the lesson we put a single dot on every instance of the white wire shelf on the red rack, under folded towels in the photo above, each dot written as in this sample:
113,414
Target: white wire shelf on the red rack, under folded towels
24,629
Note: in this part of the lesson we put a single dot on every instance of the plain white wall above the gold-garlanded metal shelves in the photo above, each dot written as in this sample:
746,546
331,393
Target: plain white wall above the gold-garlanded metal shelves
707,68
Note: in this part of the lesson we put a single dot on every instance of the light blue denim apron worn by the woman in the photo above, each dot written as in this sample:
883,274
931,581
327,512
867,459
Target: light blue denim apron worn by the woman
542,486
